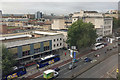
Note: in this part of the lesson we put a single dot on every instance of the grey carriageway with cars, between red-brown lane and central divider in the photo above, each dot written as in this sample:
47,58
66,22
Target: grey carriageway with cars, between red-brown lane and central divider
81,65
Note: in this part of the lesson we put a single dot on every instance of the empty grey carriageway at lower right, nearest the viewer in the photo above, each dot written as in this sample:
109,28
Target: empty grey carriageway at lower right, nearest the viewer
100,70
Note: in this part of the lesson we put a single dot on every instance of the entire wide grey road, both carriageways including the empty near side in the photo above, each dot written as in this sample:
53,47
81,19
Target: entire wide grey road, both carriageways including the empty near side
97,71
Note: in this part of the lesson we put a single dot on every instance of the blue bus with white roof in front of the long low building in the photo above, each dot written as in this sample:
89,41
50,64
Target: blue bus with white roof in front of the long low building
48,60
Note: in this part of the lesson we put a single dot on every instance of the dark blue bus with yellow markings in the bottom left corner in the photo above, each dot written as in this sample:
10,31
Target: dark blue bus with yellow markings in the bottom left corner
17,72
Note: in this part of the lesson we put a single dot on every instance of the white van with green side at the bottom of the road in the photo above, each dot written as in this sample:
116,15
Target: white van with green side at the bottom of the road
48,74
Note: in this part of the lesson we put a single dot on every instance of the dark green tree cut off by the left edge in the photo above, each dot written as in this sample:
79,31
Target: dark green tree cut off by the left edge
7,60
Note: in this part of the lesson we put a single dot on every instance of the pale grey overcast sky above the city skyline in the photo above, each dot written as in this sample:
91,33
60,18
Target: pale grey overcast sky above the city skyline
56,6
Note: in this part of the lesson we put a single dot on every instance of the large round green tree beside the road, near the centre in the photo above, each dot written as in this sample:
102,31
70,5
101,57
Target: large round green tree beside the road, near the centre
81,34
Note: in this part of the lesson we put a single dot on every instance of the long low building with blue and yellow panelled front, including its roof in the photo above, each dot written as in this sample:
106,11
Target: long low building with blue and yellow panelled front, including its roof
32,45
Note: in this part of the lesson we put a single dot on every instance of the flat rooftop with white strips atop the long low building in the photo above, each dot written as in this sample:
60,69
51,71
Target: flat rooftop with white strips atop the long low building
25,35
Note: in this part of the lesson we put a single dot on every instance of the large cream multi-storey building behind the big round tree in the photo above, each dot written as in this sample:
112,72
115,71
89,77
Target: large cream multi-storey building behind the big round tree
102,24
